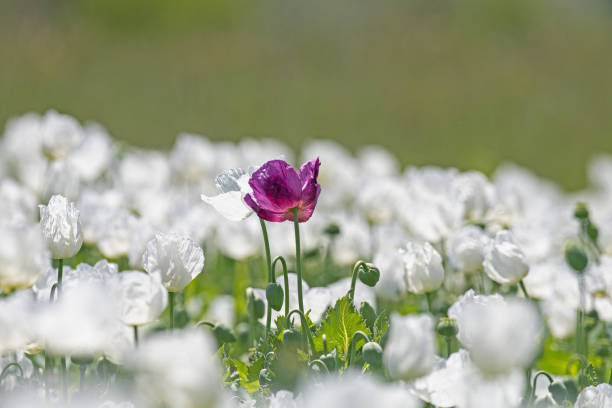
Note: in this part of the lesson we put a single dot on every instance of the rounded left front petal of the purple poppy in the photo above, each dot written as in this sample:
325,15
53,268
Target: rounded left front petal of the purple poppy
276,186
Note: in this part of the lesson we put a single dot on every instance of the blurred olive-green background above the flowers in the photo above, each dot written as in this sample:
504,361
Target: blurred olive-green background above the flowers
468,83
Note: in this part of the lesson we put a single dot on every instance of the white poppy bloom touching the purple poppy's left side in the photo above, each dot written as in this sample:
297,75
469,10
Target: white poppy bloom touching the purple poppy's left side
233,185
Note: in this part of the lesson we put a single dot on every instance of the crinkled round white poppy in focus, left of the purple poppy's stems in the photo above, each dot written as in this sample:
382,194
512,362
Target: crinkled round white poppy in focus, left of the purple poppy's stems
177,259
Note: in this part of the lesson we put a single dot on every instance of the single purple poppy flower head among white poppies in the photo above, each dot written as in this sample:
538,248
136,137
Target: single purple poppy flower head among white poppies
278,189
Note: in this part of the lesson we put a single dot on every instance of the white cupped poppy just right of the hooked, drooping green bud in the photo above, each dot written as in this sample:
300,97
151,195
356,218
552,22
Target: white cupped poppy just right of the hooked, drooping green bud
423,264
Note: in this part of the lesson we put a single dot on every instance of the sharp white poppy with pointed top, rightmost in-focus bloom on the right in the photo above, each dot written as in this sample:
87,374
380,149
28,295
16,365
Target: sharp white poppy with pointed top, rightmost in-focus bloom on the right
504,261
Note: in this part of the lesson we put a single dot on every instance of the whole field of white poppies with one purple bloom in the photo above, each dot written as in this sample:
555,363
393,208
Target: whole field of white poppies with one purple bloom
239,275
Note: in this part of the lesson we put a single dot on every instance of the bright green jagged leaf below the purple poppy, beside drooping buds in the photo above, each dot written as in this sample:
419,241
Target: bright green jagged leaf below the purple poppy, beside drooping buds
339,324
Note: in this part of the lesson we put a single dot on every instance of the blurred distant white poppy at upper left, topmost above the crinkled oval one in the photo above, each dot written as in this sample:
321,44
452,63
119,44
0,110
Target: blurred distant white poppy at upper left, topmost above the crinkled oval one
60,134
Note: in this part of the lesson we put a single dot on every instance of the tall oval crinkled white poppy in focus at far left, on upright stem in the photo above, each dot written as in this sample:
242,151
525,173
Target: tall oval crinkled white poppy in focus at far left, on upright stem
61,227
